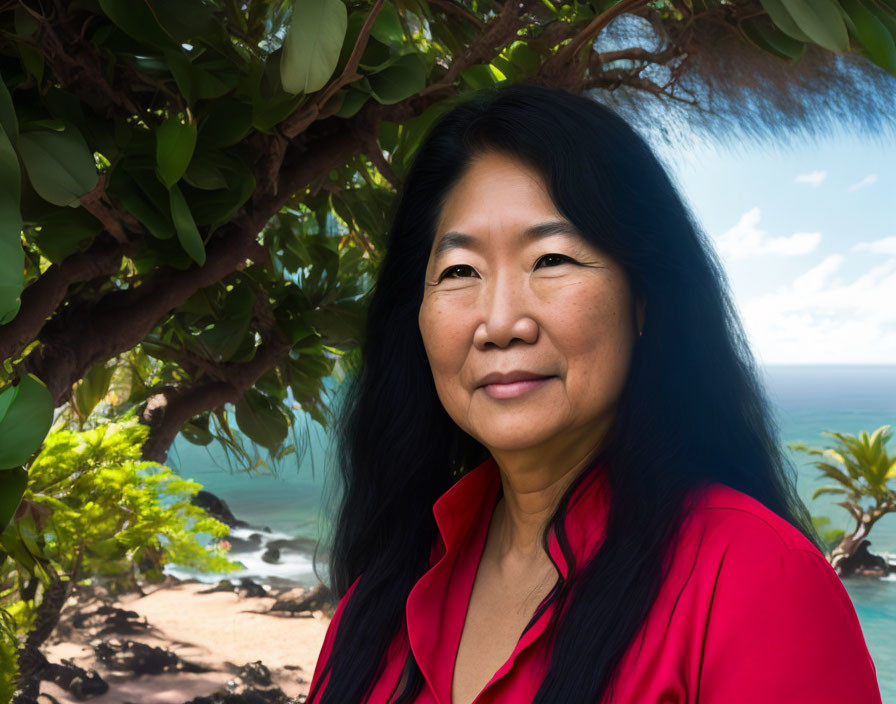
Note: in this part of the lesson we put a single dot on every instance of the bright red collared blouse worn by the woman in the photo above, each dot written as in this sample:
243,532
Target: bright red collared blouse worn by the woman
750,612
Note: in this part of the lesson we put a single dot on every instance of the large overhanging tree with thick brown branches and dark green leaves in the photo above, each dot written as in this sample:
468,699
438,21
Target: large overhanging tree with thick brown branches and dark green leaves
196,194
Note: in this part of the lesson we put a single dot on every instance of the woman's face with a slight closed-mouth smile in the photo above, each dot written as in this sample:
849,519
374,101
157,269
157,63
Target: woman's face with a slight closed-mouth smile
511,293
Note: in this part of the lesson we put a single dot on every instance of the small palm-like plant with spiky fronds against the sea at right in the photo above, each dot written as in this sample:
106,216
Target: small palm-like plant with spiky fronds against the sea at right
860,468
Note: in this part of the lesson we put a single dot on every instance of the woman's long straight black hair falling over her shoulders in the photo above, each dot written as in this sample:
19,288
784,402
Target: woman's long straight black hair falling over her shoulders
692,411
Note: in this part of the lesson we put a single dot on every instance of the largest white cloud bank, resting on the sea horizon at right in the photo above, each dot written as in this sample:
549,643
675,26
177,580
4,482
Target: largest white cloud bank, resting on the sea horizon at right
822,318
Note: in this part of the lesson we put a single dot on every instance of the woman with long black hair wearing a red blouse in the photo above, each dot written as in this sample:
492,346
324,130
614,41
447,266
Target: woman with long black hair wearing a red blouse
561,477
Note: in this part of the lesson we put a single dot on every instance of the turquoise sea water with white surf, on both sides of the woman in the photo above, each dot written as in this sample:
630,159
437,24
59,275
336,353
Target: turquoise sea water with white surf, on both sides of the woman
807,400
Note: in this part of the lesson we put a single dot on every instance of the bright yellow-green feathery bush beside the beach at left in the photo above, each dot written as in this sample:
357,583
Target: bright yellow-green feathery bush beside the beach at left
92,508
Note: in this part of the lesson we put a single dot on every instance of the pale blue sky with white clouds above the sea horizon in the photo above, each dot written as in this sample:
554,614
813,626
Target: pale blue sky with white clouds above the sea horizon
805,229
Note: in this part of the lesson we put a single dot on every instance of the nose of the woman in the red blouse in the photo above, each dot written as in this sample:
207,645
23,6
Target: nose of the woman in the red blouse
505,314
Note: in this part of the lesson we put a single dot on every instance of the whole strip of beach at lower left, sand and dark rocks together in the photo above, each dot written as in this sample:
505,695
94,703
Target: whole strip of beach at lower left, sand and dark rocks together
181,642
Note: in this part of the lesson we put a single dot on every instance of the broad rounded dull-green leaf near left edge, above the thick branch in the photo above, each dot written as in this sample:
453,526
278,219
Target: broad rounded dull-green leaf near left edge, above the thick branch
59,164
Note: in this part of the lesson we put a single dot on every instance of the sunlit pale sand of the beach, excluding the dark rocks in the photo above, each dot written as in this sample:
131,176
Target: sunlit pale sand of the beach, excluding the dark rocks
220,632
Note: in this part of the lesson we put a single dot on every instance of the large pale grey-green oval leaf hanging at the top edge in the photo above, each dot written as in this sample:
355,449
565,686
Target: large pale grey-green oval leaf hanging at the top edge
312,45
